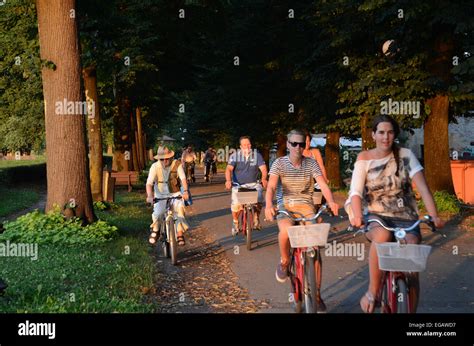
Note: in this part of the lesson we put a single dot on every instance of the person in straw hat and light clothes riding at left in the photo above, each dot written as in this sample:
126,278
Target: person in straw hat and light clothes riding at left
166,177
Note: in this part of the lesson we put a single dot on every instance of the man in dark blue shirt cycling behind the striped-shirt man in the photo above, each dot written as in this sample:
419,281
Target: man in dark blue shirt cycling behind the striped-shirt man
243,168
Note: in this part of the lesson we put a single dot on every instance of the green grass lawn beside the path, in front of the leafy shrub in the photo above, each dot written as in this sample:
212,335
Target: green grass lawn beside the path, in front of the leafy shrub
111,277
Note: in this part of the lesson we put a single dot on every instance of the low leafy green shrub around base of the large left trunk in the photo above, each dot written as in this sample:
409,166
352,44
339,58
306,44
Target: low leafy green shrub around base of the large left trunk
53,227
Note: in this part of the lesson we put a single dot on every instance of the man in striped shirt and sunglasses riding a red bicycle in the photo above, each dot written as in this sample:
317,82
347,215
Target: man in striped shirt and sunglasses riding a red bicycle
292,178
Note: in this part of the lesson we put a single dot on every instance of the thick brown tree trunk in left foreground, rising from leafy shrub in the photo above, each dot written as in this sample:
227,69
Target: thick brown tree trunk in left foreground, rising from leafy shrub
67,162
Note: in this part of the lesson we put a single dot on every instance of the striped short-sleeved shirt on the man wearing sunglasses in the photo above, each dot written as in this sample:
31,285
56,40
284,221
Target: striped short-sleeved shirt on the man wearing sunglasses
295,185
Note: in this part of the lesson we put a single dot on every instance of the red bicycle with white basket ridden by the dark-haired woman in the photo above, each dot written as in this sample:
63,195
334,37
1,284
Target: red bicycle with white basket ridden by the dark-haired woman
395,260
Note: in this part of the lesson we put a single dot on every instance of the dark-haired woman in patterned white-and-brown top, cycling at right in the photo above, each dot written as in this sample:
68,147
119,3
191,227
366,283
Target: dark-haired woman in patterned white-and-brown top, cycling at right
382,178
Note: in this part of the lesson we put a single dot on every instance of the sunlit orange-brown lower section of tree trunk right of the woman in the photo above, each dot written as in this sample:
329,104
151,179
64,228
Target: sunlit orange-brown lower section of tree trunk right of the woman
436,146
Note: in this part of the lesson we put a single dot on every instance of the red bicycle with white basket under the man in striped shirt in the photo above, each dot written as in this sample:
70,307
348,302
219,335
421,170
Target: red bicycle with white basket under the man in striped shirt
305,255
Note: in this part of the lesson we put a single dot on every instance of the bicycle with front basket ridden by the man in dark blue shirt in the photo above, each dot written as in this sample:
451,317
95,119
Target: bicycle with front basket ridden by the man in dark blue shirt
248,197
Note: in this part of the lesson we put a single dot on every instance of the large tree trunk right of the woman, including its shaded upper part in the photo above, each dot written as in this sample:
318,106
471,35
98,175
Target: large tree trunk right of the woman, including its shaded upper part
436,137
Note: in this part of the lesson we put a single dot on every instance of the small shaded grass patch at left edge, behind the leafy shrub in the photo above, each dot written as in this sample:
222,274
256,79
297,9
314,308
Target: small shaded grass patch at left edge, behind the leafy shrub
16,199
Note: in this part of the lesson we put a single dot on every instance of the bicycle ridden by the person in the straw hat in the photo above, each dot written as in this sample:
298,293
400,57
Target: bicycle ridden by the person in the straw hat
167,230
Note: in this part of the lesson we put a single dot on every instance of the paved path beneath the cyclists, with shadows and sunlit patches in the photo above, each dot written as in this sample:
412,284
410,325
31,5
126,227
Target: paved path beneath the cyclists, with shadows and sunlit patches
447,285
